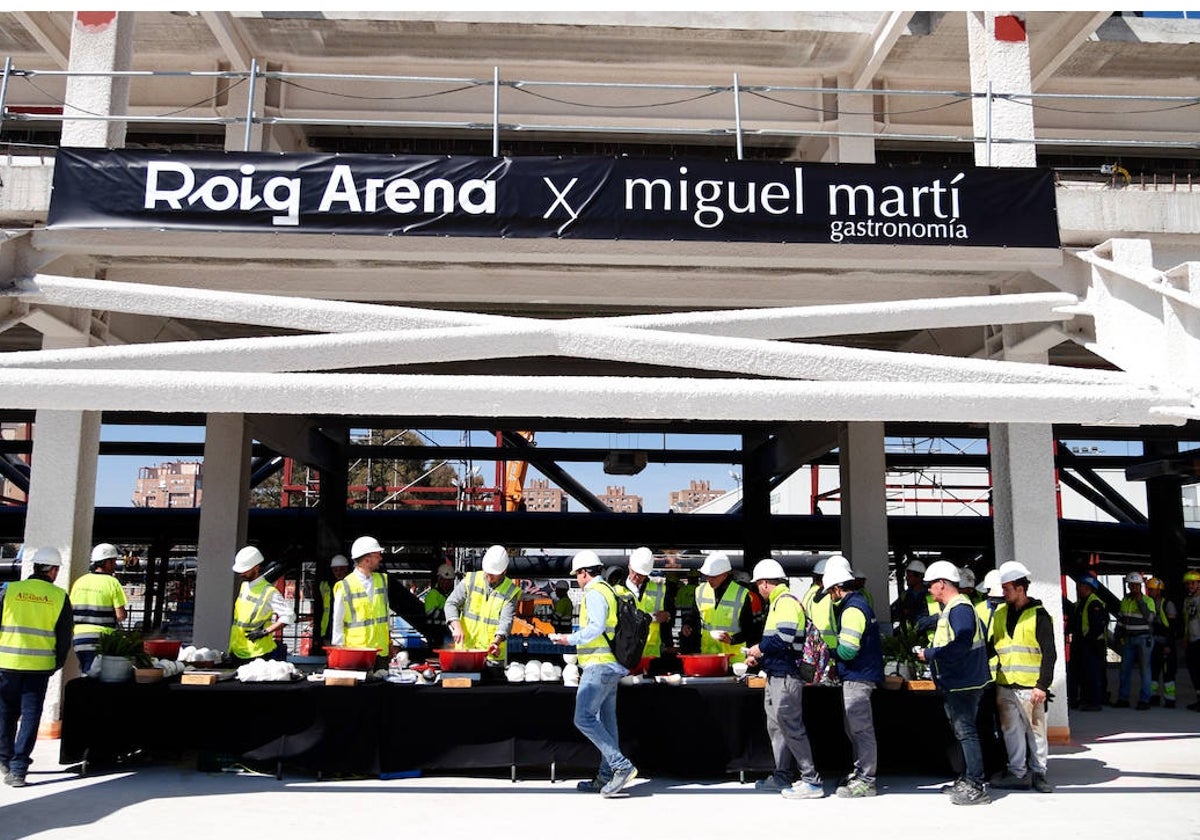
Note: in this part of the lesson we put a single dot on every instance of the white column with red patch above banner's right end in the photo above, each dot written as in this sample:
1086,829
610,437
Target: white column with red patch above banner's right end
1000,55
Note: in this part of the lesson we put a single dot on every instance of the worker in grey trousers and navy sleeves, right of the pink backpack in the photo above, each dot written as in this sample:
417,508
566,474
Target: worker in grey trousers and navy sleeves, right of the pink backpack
860,655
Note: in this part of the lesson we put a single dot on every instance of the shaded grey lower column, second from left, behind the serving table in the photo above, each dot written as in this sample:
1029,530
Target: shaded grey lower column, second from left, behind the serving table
223,526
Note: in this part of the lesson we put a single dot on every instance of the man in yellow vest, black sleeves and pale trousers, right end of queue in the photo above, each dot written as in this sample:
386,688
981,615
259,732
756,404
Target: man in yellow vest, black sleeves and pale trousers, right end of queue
1023,640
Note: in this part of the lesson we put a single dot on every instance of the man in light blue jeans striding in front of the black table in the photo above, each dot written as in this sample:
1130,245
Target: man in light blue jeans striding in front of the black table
596,703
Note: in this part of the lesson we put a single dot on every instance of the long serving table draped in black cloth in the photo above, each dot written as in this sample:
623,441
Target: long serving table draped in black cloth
705,730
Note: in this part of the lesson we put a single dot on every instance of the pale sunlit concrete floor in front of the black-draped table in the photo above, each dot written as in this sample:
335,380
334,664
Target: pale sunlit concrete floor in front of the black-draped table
1123,772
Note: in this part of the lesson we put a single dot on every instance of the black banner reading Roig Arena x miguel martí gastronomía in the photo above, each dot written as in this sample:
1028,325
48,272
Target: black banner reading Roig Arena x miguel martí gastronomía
539,197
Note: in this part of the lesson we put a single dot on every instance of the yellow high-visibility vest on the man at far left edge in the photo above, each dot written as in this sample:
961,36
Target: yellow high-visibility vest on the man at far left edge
32,611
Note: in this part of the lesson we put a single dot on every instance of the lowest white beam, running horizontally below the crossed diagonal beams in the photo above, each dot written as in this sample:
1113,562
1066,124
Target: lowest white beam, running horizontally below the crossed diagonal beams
590,398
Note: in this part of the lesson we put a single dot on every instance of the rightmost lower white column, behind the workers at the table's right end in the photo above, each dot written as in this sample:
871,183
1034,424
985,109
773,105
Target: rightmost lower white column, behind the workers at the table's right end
1027,529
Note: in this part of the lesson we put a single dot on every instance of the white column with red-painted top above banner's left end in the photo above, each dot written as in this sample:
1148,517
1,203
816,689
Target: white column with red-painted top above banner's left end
100,43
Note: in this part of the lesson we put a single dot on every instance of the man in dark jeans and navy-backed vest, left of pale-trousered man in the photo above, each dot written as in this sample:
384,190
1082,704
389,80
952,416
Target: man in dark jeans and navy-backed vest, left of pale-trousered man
959,663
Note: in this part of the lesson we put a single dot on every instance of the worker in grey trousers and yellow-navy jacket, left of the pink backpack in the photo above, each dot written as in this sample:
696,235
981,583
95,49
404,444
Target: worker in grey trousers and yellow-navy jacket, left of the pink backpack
779,652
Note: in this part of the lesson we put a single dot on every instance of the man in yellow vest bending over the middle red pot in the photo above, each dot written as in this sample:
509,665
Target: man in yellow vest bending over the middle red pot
482,608
